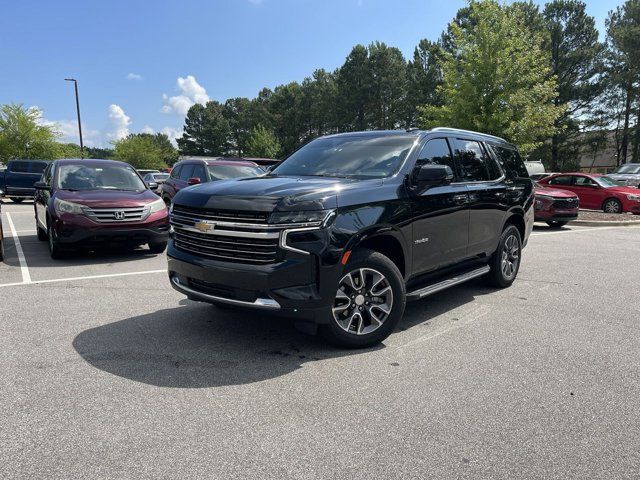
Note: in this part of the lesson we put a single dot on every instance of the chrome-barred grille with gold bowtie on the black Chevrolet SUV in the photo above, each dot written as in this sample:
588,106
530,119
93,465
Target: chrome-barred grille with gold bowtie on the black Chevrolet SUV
244,238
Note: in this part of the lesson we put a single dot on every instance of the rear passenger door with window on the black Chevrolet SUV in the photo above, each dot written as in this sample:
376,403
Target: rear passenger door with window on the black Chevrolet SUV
485,183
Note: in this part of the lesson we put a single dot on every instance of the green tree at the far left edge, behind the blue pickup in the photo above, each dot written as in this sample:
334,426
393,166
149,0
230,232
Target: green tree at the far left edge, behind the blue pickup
23,136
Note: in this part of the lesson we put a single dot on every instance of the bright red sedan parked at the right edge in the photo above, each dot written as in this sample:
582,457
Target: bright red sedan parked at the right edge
597,192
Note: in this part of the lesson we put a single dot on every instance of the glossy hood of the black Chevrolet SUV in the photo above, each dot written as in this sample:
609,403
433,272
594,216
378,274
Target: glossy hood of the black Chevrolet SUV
271,193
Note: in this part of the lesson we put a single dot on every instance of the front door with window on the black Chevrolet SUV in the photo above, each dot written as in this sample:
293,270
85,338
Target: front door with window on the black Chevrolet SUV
441,215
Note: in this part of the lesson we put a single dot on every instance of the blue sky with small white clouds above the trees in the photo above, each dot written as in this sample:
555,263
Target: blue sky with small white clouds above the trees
141,64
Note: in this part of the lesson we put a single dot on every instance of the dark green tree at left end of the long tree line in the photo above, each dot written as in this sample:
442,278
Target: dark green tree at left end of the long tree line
206,131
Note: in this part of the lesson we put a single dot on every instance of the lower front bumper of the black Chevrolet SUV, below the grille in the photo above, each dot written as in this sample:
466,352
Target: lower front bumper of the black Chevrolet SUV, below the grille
291,287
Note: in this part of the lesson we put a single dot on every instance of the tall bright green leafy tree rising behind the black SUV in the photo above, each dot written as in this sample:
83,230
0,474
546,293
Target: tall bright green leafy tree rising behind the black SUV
496,78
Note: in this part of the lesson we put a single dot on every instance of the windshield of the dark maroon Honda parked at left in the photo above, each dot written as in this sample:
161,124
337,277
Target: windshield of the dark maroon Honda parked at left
99,177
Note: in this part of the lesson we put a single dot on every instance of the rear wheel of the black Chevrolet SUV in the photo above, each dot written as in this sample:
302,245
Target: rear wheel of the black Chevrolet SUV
509,250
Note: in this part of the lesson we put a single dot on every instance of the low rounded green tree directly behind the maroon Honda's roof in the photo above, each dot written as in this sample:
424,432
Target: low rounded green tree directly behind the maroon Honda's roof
143,150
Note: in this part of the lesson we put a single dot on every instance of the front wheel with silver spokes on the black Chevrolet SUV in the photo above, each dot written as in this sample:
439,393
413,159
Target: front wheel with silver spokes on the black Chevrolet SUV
366,319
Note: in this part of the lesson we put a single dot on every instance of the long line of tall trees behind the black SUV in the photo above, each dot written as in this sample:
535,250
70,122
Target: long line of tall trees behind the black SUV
539,77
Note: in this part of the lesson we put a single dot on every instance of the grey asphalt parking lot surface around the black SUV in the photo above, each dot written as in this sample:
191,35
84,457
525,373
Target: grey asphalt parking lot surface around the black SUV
106,372
